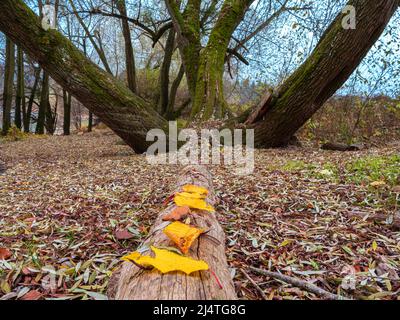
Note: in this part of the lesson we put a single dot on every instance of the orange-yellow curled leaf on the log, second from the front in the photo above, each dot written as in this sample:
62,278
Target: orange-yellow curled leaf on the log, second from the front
182,235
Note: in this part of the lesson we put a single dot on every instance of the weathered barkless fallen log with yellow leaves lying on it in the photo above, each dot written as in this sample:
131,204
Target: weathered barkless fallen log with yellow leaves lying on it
130,282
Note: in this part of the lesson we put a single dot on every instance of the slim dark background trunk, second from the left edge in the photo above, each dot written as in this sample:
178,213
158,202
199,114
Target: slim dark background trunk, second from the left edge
20,108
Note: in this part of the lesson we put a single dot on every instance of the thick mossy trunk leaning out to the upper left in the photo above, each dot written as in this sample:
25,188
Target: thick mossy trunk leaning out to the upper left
125,113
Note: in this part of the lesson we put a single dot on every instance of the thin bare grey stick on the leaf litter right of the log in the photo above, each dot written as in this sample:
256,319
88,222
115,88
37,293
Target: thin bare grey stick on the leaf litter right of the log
300,284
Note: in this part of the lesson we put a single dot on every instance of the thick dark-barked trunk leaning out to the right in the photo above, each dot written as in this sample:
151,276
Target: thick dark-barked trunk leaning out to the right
336,56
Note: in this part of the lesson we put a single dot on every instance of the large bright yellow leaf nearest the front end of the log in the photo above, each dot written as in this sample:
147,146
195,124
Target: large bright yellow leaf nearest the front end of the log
166,261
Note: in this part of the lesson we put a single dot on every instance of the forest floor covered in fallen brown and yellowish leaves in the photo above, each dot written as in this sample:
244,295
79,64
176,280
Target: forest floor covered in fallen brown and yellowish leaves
306,213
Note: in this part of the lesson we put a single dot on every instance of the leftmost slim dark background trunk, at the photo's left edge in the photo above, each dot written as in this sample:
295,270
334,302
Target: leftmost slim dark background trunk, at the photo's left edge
8,85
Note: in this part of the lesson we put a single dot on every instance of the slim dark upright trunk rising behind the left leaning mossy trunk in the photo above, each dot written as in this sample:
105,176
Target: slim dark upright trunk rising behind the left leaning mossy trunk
129,56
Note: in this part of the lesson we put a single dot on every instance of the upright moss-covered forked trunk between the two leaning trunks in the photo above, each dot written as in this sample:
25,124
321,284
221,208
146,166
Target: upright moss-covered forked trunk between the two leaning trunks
204,67
